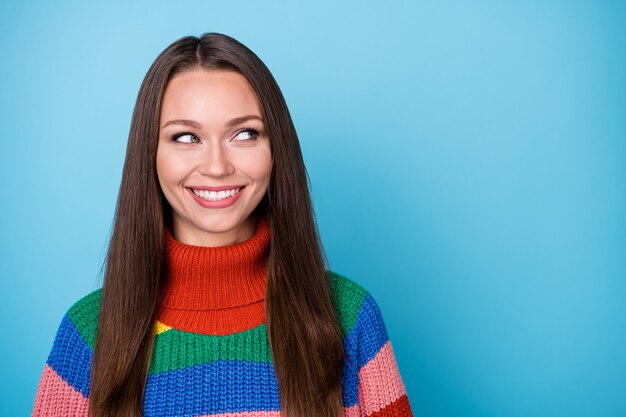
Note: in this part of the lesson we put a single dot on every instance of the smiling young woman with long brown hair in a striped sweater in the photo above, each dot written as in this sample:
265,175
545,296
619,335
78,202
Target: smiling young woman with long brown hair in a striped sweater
217,298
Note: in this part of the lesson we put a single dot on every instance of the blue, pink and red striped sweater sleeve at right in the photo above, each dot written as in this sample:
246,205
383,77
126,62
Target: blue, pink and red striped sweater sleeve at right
381,390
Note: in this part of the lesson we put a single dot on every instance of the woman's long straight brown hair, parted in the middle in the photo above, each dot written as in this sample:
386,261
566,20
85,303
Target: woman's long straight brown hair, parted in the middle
305,338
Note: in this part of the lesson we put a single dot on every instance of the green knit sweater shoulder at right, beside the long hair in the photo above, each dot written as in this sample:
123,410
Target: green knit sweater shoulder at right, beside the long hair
350,299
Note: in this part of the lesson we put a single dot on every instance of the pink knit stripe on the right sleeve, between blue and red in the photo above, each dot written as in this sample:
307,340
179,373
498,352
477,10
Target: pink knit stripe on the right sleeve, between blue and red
380,382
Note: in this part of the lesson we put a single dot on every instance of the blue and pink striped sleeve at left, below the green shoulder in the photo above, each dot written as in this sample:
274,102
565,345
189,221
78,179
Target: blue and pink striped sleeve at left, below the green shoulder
64,384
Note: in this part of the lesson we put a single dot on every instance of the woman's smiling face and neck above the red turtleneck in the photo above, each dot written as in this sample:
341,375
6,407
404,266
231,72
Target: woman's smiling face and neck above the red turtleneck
212,136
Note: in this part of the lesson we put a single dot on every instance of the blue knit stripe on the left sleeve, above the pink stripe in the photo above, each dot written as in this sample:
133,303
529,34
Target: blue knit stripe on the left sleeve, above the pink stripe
70,357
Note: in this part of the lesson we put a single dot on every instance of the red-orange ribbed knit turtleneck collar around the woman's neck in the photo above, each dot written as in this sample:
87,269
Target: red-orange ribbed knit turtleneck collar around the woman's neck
216,290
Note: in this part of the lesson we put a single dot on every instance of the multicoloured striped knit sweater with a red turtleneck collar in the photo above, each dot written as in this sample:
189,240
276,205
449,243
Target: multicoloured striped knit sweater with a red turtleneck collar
211,354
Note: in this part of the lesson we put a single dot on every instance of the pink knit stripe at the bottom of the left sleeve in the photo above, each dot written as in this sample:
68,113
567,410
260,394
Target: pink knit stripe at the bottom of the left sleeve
55,397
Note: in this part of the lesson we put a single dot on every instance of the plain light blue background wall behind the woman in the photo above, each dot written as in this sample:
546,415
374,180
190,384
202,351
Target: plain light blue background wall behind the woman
467,163
